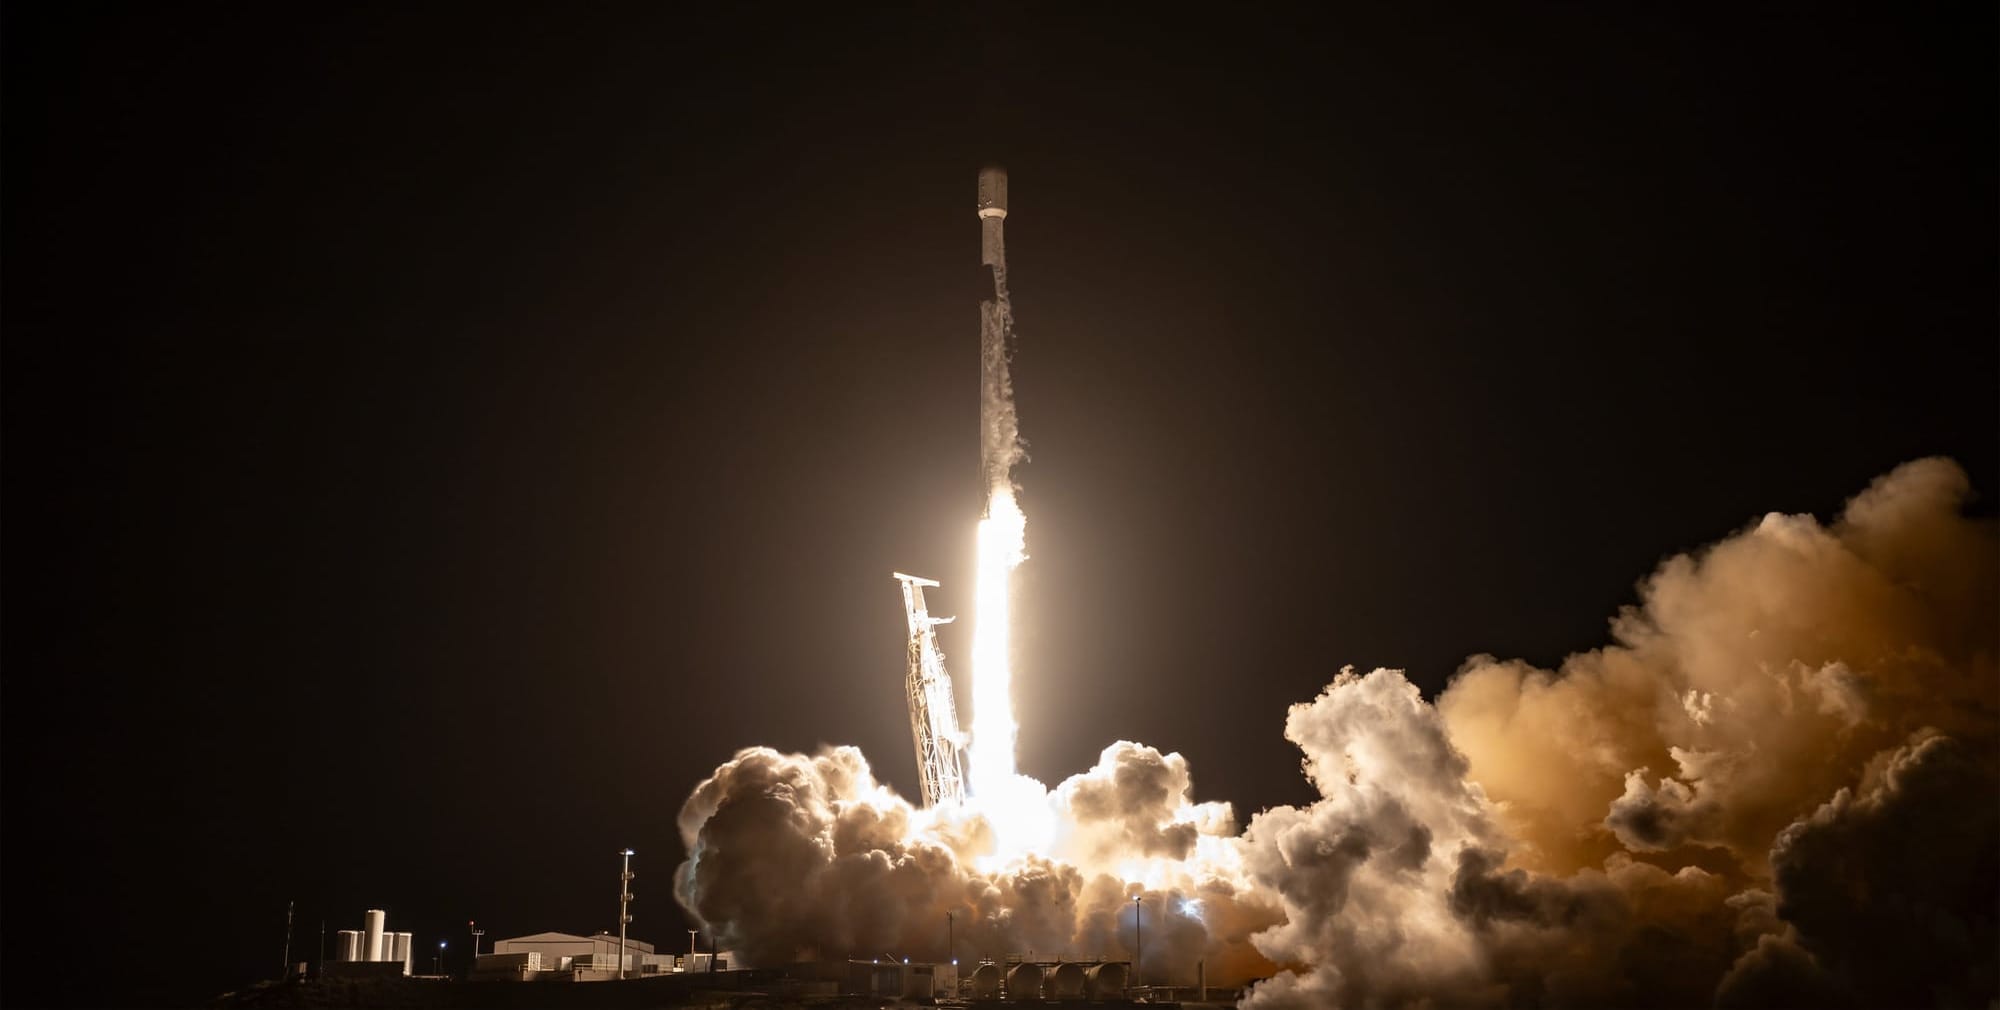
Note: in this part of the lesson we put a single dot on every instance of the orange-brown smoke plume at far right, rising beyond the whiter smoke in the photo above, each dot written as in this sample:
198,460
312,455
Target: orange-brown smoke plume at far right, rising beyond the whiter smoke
1751,683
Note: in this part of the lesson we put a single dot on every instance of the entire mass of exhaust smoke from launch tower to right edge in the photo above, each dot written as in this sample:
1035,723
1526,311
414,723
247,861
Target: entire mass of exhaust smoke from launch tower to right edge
1777,787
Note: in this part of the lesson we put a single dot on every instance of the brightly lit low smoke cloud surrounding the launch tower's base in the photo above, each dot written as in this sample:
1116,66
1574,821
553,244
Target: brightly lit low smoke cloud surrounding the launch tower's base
799,859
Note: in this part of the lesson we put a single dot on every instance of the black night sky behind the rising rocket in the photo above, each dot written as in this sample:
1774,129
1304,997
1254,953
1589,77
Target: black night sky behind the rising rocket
437,439
